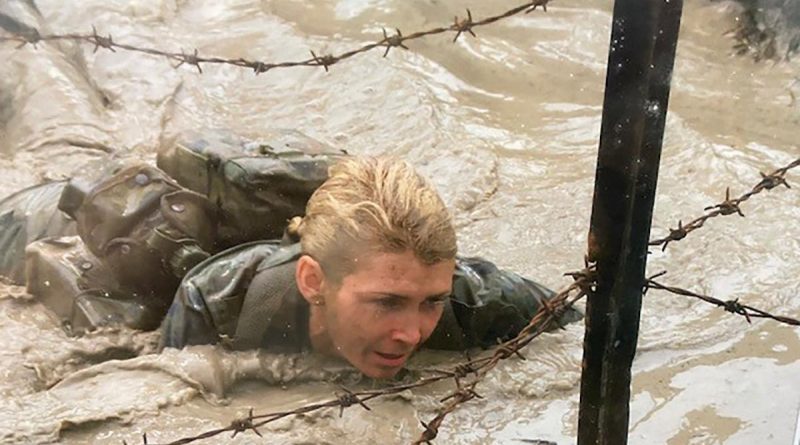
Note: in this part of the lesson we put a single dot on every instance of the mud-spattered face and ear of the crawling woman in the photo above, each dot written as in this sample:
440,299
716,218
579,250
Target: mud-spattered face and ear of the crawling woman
384,310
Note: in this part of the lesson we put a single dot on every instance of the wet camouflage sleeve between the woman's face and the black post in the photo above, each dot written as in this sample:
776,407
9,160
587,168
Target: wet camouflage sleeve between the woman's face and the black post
489,305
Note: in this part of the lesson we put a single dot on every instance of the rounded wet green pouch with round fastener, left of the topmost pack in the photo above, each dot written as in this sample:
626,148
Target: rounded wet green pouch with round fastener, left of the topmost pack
146,228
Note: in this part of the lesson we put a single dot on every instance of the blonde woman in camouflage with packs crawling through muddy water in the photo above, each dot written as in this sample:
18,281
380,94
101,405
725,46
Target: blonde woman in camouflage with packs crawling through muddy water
369,273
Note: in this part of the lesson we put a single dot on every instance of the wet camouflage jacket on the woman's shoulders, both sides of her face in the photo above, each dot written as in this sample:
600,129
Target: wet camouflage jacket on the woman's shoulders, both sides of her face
232,299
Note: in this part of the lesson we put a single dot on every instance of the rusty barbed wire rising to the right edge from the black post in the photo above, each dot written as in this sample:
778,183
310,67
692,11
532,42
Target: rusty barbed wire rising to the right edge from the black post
727,207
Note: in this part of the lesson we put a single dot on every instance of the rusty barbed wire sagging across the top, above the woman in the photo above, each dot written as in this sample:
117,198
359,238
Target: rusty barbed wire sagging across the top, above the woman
31,36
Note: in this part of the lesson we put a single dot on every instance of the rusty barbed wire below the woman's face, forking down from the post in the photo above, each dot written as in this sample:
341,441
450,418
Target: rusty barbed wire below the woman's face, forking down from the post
473,369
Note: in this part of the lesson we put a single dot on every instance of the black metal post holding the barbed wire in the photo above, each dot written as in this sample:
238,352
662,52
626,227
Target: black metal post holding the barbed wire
643,40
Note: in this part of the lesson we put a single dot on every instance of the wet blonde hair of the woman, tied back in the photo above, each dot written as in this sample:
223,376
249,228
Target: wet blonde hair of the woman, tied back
378,205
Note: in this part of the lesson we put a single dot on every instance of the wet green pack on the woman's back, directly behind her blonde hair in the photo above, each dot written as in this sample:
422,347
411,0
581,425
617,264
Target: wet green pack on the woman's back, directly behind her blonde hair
256,185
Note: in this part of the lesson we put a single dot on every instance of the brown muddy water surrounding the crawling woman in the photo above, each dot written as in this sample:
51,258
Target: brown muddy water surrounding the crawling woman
507,127
